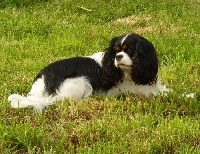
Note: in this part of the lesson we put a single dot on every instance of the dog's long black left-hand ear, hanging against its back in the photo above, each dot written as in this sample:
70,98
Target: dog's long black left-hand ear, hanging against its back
111,74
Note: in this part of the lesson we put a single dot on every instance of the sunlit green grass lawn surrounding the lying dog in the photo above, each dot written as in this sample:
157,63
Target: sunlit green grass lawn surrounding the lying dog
36,33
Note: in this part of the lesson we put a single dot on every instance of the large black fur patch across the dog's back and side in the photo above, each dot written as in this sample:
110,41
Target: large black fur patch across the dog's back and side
55,73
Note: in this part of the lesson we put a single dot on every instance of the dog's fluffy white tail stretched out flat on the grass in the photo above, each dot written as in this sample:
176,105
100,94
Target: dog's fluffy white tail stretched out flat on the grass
39,103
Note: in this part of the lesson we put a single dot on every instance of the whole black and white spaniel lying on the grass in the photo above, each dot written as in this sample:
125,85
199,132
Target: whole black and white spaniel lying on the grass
128,65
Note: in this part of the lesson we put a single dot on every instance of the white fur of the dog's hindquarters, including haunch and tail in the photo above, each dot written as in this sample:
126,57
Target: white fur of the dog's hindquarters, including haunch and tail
72,89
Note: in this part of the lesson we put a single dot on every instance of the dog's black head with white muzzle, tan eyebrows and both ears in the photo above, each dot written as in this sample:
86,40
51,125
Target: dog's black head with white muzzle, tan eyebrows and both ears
130,53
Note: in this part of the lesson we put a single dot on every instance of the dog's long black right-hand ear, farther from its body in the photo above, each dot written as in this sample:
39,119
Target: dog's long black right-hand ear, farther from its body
145,63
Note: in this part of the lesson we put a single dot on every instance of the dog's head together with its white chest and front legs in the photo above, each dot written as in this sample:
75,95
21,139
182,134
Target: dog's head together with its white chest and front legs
130,65
